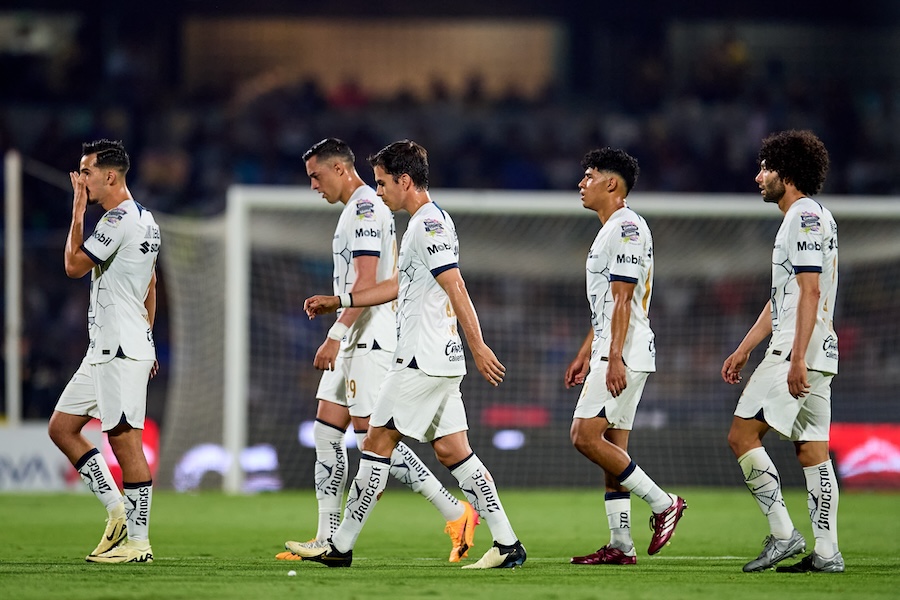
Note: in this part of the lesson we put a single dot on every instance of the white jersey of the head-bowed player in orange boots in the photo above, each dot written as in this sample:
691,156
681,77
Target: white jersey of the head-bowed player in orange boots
366,228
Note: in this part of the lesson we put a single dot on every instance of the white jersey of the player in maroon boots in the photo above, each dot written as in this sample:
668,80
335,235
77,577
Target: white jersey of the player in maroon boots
622,251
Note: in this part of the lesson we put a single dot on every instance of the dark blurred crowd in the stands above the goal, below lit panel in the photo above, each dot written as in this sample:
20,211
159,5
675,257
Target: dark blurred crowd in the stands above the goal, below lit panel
698,134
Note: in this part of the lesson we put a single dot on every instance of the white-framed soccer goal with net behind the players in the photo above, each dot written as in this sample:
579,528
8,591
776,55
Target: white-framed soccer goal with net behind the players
242,388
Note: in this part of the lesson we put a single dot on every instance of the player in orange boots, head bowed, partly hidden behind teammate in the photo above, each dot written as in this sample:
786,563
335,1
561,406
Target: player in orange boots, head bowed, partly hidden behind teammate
357,351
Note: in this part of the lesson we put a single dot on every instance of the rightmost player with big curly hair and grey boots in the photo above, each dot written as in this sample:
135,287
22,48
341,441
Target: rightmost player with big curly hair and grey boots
790,390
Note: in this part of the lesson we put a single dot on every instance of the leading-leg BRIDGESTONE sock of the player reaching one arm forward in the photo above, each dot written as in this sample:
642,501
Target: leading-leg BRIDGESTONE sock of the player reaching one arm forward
365,490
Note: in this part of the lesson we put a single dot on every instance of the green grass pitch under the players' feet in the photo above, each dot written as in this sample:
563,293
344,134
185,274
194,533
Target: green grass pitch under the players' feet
215,546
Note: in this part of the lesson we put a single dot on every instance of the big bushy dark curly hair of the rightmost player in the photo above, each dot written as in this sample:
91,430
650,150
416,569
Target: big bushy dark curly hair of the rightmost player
799,157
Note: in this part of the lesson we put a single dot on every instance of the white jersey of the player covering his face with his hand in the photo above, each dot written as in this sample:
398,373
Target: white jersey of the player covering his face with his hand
124,246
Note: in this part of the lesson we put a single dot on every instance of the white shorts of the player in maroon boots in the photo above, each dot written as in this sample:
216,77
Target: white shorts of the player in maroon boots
596,399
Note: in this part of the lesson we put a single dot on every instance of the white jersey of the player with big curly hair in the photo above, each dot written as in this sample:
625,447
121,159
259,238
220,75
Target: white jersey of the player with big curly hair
806,242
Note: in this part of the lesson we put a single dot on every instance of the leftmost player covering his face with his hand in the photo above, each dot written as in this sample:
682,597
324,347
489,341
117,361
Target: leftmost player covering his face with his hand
111,383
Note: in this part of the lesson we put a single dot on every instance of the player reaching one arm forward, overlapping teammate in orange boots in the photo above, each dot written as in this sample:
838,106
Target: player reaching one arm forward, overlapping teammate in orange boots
420,396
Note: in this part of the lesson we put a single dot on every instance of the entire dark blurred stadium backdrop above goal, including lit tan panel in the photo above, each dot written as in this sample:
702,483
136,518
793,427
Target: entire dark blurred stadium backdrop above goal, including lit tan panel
506,95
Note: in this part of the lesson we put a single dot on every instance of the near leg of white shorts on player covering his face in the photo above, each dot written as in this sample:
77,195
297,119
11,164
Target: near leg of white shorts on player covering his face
122,391
